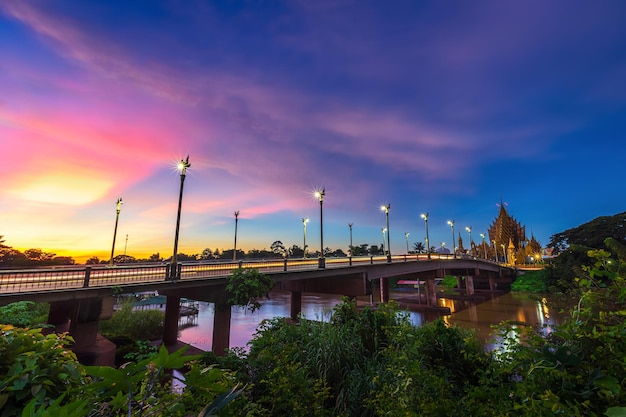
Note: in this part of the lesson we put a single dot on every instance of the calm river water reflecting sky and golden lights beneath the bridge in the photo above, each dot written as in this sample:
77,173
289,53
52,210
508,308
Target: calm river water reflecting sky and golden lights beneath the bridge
480,316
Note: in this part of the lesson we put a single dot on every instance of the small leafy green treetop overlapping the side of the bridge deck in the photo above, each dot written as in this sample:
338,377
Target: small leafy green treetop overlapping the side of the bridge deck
246,285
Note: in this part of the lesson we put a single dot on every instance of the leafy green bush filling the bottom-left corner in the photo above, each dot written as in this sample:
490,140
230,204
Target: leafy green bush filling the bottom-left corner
35,369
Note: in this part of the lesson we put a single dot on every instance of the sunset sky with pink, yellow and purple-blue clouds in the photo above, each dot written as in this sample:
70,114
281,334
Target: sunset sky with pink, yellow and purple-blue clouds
444,107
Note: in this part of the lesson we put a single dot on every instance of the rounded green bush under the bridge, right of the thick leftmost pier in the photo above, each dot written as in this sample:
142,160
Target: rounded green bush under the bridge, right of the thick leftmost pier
137,324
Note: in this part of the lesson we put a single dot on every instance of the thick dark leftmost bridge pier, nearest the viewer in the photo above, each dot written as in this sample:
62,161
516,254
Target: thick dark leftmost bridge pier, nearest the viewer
80,318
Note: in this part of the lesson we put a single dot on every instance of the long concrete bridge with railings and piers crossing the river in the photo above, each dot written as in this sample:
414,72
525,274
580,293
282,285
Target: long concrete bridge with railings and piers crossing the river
80,296
